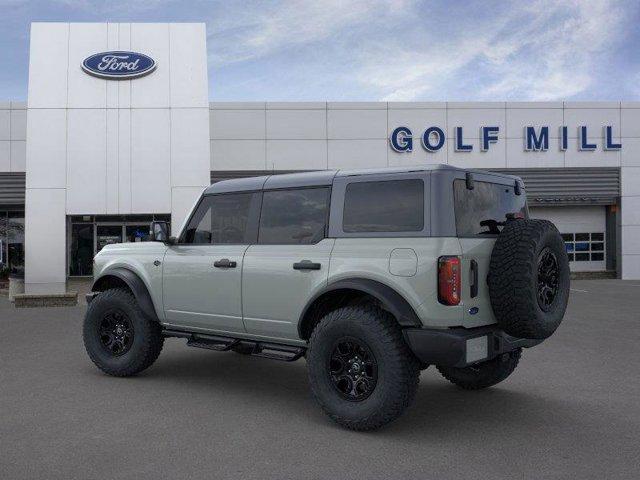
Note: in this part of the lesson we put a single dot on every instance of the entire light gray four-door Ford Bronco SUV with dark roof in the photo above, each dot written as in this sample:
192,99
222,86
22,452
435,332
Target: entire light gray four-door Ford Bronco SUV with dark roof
370,275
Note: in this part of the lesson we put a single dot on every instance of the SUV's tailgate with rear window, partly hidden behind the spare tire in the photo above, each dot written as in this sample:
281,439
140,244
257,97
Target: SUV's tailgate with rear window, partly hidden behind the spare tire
480,215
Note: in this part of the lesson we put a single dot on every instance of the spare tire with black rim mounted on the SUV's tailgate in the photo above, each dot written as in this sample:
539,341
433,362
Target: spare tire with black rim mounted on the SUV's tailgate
529,278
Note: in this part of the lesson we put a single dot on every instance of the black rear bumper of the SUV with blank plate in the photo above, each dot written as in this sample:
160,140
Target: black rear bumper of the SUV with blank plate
460,347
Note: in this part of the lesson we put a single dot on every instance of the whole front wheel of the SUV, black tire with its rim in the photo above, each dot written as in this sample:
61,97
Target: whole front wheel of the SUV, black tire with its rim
118,337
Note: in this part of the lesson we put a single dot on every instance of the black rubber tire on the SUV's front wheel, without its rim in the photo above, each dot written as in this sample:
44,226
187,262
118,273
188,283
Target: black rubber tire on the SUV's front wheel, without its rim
147,335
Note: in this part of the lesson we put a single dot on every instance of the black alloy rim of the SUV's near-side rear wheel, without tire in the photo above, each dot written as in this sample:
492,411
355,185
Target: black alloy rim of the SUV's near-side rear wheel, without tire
353,369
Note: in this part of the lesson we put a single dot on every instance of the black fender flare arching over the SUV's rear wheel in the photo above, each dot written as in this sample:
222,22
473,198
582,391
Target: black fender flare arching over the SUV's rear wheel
388,297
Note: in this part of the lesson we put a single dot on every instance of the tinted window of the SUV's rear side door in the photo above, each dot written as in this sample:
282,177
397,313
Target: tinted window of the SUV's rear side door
294,216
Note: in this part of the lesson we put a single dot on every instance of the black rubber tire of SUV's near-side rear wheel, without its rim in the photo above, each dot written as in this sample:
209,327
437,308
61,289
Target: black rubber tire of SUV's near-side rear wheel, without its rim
397,368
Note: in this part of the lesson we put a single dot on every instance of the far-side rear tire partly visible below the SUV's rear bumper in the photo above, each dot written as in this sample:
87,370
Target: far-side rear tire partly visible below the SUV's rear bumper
485,374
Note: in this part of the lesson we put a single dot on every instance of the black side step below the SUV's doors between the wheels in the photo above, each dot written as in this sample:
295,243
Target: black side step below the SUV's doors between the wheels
274,351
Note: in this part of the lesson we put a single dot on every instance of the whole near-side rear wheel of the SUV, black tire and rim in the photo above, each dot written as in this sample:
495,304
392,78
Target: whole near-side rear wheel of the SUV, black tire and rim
362,373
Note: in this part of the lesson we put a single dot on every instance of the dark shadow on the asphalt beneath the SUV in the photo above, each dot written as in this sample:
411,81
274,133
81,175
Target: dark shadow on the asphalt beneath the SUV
439,408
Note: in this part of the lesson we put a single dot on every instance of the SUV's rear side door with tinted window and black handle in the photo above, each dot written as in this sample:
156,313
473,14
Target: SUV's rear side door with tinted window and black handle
289,262
